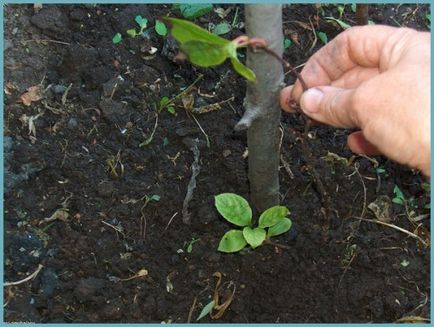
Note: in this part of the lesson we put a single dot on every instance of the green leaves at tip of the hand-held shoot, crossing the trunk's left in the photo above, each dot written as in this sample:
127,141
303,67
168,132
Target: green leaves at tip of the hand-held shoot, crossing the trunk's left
206,49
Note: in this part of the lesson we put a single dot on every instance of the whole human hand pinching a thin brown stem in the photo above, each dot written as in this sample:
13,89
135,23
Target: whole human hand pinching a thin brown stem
375,79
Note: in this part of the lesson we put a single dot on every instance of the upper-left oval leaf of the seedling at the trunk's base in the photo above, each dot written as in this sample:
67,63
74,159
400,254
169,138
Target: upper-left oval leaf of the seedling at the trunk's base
234,208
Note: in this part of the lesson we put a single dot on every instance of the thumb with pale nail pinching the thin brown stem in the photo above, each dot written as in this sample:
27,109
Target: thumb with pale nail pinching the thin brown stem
331,105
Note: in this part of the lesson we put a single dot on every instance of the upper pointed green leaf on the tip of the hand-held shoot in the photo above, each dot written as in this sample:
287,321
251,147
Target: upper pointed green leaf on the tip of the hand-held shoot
184,31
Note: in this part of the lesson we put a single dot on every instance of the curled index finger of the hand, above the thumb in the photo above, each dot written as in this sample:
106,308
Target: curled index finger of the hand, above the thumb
362,46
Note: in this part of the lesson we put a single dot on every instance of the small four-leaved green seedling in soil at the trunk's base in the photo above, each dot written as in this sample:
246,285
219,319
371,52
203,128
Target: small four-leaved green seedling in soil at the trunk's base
237,211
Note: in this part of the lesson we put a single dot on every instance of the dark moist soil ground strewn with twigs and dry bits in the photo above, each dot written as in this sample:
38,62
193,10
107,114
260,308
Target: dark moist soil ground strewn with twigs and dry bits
82,160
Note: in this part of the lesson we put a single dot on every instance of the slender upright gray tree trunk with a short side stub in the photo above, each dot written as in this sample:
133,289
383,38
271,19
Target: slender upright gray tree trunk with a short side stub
262,116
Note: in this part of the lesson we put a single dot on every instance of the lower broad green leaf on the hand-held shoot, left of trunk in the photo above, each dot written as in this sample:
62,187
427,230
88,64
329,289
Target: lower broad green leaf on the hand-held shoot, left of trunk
204,54
